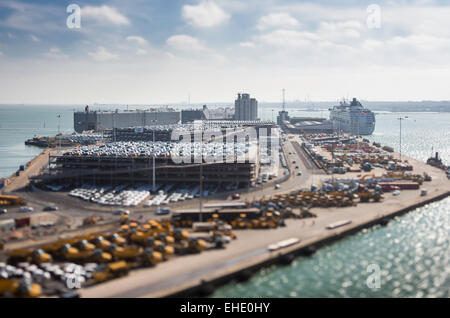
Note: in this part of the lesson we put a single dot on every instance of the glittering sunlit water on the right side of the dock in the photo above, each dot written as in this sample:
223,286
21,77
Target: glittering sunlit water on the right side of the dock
412,252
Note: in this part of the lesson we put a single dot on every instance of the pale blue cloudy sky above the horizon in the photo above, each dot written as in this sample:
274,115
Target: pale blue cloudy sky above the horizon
167,51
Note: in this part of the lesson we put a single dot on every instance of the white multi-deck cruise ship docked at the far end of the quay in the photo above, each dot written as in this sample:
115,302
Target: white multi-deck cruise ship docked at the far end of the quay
352,118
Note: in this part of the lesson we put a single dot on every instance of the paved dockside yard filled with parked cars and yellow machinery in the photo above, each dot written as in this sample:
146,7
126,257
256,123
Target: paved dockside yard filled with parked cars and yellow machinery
127,215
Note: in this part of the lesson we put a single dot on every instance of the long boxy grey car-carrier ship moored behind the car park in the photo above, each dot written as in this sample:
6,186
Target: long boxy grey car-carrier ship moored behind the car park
101,120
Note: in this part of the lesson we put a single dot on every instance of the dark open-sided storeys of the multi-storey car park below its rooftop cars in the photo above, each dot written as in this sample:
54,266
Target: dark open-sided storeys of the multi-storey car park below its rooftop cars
116,170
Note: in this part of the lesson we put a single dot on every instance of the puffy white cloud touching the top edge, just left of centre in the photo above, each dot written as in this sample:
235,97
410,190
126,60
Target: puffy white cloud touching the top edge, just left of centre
206,14
